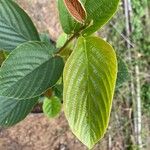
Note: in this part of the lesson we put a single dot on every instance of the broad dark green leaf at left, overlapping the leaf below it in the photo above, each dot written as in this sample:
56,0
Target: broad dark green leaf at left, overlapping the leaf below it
29,71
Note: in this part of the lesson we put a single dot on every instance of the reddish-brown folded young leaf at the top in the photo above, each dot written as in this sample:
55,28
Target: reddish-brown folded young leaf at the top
76,10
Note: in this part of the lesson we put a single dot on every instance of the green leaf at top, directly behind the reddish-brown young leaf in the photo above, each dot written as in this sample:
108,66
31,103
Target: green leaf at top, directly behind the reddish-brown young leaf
98,13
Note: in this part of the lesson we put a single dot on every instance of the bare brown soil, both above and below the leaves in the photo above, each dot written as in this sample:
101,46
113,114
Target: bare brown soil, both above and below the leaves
37,132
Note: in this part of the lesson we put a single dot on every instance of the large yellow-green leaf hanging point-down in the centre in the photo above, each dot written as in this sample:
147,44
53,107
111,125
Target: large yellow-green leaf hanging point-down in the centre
89,82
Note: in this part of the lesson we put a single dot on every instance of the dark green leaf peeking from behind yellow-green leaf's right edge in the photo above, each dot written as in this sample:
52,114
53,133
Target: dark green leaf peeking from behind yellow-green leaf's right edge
123,73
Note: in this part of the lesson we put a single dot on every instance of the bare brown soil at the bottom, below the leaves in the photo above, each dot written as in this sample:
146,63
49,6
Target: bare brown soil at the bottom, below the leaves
37,132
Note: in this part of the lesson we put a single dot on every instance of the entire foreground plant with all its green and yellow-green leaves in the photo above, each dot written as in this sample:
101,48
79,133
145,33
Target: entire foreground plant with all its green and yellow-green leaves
36,65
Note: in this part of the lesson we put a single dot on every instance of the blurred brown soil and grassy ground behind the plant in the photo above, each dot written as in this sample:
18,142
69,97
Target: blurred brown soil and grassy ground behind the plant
129,127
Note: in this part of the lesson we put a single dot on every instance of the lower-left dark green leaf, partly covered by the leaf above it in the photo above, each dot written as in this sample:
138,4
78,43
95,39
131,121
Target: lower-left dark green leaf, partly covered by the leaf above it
14,110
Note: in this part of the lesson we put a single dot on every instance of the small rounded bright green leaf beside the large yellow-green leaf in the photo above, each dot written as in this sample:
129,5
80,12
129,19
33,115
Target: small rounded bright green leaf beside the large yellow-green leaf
52,107
